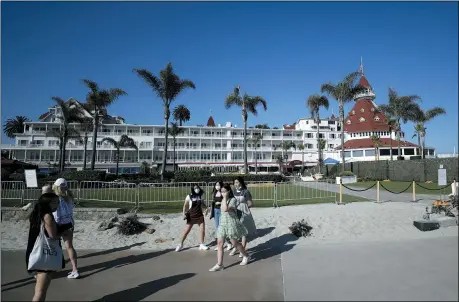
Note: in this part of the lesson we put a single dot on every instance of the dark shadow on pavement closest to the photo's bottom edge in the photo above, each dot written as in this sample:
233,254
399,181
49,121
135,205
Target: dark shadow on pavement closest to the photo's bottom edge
144,290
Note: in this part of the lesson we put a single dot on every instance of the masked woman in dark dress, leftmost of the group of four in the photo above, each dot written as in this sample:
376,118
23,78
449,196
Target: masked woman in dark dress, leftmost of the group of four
194,215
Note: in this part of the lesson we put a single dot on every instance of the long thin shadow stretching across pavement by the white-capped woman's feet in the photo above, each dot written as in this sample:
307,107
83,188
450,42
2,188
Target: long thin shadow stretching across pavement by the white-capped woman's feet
95,268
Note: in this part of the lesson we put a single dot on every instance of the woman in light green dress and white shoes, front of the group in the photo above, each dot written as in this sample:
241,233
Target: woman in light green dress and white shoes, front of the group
230,227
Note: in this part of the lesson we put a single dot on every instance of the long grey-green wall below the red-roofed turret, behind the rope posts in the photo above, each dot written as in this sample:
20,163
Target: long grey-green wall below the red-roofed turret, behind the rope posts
406,170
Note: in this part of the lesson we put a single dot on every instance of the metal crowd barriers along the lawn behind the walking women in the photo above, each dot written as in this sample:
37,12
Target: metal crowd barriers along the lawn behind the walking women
15,193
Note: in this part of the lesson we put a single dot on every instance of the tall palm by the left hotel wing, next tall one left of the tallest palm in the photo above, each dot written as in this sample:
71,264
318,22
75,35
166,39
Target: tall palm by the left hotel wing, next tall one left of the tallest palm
98,100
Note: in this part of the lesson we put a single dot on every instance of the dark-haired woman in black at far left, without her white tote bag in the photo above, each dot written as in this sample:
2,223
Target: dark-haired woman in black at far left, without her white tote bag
42,213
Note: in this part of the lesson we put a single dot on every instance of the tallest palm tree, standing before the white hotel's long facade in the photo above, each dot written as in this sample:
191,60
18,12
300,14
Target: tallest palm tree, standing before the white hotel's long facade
168,85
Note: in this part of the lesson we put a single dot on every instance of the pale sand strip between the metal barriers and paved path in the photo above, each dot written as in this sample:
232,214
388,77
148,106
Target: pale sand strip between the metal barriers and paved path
331,224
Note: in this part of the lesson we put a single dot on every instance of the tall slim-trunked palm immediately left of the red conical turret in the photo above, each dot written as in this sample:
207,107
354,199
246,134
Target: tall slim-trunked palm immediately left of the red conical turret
343,92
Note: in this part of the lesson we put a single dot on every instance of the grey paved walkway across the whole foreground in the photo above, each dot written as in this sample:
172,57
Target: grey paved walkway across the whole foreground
423,269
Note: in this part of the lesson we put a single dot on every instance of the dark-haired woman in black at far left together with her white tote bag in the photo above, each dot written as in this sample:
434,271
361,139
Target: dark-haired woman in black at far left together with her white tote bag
44,254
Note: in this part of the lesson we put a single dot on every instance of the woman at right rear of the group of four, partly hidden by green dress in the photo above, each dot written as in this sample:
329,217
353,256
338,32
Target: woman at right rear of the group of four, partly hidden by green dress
244,203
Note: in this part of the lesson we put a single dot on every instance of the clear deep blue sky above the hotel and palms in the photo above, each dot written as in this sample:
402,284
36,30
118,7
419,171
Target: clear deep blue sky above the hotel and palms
281,51
